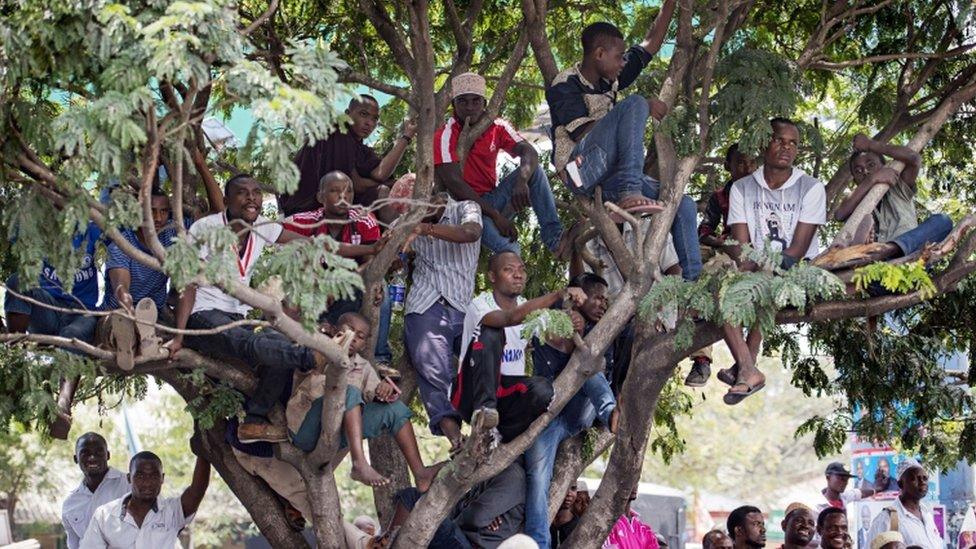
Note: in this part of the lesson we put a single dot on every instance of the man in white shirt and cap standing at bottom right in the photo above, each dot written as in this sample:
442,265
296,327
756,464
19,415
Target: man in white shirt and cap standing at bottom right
908,514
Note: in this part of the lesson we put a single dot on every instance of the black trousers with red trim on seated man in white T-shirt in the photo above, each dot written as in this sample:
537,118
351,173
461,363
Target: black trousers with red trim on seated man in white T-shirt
518,399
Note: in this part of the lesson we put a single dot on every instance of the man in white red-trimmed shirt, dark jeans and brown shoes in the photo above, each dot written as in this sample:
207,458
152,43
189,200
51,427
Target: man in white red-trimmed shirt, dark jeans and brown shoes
205,307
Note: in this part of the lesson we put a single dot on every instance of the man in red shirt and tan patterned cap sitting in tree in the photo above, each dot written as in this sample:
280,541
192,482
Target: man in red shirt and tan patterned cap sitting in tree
477,180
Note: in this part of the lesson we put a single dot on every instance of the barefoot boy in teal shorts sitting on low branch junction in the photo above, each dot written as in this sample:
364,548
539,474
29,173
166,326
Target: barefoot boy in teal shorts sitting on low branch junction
372,409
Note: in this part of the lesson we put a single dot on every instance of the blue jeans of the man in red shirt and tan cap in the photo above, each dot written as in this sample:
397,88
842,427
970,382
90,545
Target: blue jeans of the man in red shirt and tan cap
543,204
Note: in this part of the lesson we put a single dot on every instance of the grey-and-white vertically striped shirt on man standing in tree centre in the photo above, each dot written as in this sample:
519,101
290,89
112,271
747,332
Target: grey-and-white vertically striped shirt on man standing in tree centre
443,269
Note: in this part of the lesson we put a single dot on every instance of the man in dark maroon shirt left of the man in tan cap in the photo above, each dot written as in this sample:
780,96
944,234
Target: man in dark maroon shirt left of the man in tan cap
345,151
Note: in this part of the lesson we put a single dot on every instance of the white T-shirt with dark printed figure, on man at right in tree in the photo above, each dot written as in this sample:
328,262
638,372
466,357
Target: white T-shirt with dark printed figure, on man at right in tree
772,214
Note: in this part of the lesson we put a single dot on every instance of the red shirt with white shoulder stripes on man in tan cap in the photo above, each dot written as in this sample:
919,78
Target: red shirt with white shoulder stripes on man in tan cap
479,171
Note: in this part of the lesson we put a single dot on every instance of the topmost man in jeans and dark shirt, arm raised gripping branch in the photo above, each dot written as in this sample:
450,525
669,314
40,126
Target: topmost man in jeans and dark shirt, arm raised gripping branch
598,141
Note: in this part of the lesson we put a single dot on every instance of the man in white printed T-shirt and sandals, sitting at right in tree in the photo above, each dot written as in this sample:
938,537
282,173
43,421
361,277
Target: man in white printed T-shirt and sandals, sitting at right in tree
781,207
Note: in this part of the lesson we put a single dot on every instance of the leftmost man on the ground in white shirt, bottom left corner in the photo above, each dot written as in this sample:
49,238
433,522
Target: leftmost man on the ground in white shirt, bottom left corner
100,485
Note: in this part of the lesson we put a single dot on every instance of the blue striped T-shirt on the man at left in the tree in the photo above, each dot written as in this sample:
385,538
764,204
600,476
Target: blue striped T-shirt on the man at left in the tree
145,281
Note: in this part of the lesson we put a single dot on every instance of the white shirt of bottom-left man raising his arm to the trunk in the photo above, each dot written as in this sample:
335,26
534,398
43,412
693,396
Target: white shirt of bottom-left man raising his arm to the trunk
113,527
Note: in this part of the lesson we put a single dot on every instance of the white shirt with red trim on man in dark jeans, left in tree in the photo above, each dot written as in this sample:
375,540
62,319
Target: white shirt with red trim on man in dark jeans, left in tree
264,233
